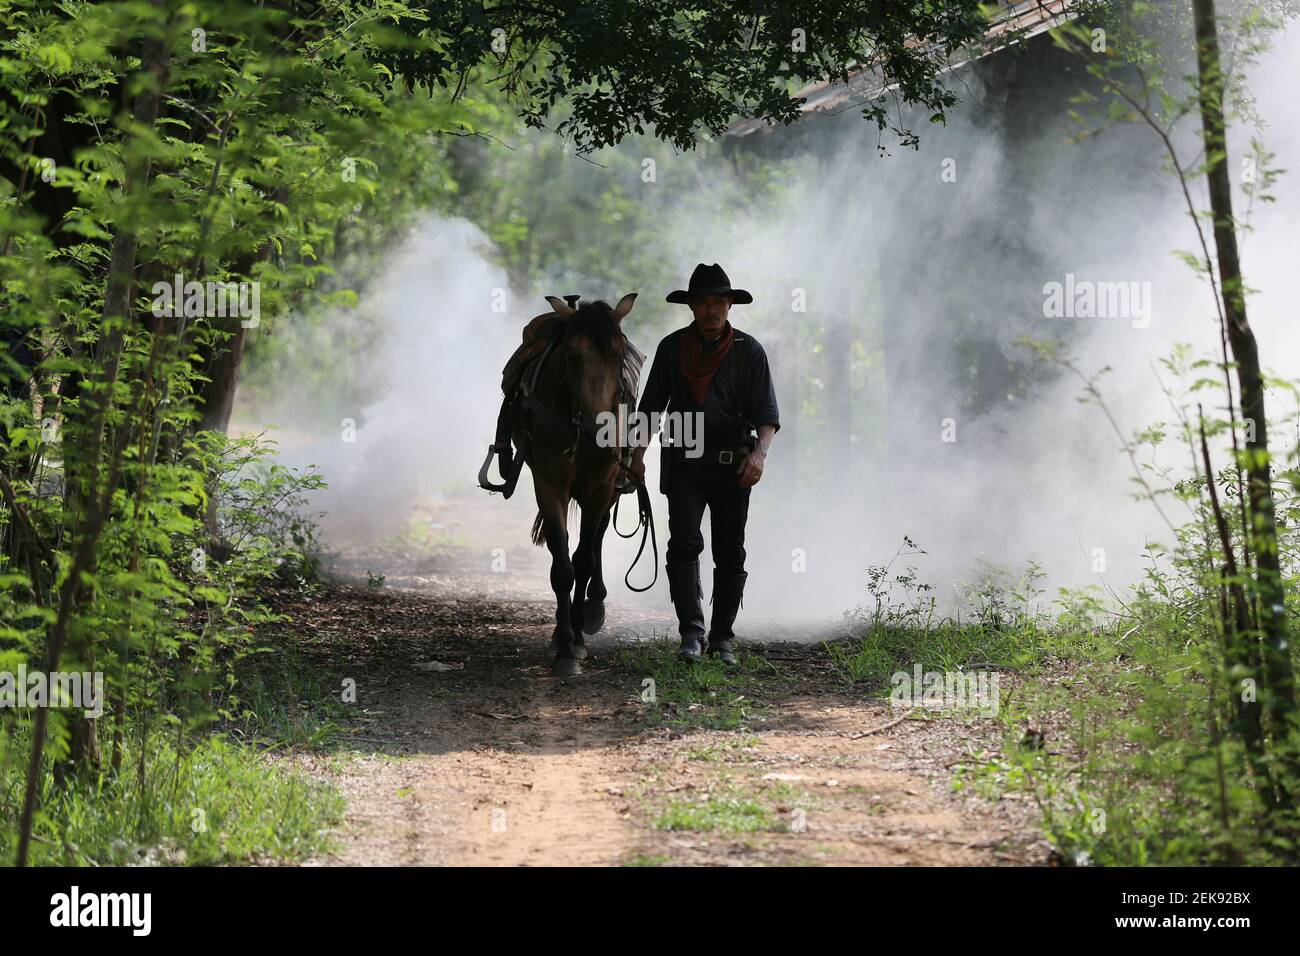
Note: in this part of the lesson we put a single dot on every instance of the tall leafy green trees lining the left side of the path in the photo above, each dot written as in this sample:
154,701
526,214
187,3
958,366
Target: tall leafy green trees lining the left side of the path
244,152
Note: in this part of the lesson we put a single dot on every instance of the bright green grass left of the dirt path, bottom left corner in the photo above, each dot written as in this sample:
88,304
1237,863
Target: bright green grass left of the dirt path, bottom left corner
219,795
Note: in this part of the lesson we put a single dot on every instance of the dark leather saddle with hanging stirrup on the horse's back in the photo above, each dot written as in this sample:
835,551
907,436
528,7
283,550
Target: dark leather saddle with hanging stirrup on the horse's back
519,405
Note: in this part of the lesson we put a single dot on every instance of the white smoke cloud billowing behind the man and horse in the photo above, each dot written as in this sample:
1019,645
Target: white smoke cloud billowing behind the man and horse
1038,479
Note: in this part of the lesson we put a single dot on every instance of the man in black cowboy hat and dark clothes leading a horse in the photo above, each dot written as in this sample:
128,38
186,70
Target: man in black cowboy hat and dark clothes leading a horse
714,371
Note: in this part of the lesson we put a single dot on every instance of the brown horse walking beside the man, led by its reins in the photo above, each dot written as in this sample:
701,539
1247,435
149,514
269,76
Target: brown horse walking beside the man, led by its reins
582,378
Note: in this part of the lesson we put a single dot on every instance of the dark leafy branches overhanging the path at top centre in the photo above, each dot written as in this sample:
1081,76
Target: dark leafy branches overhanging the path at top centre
679,70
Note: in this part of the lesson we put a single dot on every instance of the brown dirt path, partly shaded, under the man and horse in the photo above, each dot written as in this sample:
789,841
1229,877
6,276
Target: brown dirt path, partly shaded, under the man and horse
465,750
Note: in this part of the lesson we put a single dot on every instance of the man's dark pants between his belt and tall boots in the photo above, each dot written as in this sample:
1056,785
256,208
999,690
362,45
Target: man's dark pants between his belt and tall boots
692,487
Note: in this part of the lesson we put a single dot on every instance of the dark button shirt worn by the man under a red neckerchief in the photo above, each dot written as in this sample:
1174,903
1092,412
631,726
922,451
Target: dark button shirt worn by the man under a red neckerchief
725,425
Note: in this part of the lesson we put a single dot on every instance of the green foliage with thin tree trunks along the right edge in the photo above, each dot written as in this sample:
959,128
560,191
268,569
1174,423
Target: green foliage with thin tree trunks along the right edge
1212,733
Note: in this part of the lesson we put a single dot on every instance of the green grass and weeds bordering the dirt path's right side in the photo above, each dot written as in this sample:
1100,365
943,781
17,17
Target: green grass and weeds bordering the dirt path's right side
1115,723
